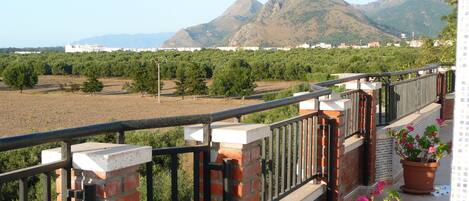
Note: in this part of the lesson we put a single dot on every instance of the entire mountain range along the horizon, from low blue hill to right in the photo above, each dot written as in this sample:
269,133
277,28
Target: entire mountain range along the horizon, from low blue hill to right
294,22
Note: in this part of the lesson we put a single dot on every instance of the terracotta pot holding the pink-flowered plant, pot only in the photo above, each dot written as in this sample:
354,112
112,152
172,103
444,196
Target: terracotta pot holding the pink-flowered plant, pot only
419,177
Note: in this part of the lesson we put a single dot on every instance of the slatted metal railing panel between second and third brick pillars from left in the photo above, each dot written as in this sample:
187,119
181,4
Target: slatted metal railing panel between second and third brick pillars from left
290,155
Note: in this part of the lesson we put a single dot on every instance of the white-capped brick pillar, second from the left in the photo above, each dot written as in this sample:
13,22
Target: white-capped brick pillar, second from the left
242,144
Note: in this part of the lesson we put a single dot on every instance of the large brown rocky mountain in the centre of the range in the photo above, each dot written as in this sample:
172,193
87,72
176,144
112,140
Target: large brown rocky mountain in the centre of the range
293,22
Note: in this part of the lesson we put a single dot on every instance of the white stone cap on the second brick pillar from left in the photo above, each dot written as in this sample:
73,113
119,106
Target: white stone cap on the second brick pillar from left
226,132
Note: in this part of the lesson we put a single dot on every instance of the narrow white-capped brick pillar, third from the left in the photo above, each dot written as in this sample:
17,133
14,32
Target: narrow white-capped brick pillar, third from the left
336,111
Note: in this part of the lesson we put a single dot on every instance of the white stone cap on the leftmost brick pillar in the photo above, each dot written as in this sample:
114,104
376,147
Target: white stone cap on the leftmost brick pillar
101,157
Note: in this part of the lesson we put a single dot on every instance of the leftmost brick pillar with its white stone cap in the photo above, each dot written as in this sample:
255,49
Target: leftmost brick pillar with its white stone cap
112,168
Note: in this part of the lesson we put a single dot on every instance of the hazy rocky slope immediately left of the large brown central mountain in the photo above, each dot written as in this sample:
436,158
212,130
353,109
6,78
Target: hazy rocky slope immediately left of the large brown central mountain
216,32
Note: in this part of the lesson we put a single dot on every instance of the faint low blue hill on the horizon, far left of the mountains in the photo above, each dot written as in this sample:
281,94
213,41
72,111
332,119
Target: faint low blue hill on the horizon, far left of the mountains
128,40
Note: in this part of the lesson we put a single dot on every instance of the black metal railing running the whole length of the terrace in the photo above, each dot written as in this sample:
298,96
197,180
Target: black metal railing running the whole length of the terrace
281,175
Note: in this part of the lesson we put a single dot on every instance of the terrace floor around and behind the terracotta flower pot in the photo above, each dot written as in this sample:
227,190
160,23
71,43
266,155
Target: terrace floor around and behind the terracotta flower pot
443,174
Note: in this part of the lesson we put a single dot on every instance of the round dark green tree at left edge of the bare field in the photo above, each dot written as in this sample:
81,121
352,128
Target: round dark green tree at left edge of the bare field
20,76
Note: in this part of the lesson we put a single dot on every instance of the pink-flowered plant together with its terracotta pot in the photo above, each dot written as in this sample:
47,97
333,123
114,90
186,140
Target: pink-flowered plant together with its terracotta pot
420,156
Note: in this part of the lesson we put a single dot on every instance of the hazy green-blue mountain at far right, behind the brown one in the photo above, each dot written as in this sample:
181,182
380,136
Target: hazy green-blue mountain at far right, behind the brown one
420,16
